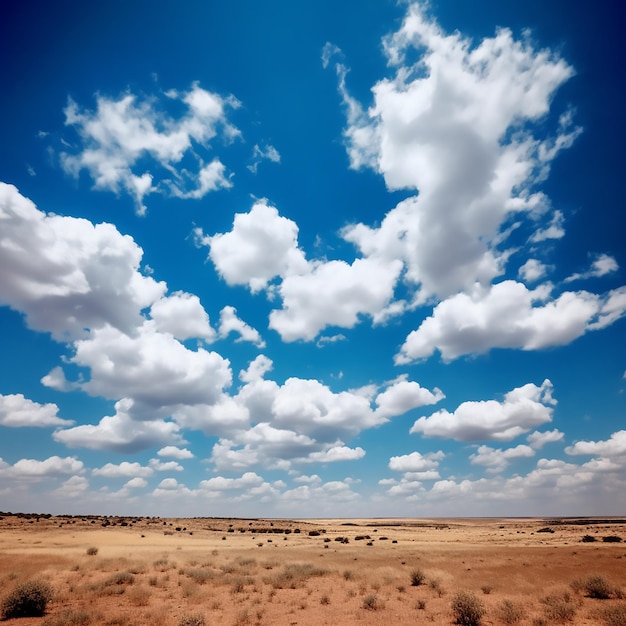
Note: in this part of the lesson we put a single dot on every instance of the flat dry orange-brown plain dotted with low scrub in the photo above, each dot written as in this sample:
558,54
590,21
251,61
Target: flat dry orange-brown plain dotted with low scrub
187,572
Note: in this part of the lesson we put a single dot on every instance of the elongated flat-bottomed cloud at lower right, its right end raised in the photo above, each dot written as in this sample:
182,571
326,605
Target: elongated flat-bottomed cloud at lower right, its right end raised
521,410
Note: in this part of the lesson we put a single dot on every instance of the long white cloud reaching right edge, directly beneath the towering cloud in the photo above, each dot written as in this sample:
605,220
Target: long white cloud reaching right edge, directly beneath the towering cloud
509,315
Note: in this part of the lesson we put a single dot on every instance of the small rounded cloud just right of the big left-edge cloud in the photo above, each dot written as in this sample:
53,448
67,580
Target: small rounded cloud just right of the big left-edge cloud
182,315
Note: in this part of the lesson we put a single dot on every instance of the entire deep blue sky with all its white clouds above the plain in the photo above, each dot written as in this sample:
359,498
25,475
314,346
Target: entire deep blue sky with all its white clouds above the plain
312,259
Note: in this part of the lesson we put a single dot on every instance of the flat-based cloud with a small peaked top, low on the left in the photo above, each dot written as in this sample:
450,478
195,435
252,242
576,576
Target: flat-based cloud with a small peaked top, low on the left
120,433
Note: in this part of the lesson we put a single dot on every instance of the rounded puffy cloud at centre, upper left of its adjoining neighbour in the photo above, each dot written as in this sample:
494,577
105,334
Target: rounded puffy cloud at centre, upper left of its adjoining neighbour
261,246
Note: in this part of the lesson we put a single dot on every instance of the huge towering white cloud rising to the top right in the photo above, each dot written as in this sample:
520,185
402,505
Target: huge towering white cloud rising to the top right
456,125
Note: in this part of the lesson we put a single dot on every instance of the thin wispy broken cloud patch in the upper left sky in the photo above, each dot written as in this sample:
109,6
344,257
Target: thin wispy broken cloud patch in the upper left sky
121,134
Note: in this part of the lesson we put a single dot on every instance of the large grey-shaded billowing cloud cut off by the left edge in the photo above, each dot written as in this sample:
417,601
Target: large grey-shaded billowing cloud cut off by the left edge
67,274
